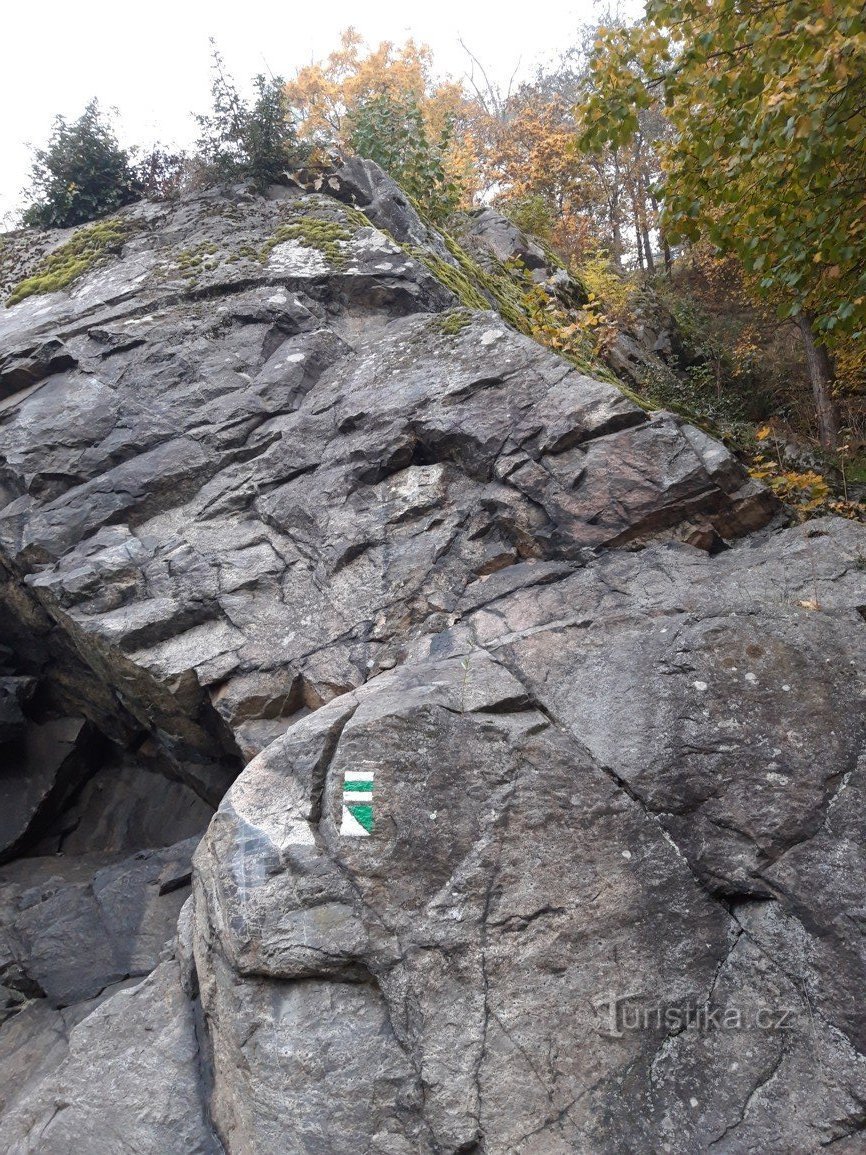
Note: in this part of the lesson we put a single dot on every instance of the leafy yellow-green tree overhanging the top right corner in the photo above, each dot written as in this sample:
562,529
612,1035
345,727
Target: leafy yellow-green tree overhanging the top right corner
768,154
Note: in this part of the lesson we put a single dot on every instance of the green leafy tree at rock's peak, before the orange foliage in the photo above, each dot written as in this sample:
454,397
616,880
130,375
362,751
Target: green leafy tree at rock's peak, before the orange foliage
391,131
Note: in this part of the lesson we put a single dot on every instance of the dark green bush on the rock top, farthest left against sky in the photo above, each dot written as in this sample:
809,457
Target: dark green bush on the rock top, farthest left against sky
83,174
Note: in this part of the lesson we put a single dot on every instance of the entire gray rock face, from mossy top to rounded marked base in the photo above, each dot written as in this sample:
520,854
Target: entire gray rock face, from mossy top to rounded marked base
550,836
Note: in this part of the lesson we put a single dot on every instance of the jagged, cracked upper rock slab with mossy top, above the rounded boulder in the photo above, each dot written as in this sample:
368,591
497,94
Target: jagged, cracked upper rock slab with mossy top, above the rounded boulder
262,476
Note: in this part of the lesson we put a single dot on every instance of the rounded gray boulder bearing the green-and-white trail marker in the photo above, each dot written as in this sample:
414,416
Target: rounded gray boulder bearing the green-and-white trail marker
606,809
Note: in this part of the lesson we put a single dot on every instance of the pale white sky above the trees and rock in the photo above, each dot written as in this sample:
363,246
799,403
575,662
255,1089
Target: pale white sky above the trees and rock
152,59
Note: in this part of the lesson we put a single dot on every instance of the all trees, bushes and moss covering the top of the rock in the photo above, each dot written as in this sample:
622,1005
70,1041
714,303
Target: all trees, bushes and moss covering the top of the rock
731,227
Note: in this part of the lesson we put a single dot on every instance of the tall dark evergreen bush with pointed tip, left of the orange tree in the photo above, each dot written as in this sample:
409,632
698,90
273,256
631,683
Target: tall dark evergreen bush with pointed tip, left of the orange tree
241,140
